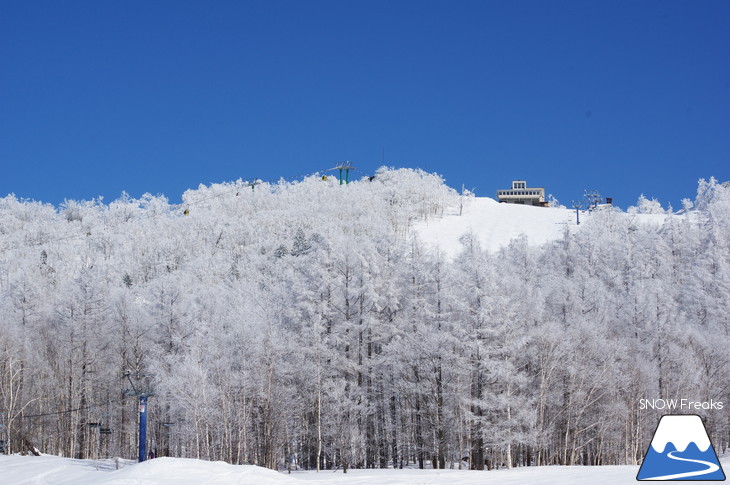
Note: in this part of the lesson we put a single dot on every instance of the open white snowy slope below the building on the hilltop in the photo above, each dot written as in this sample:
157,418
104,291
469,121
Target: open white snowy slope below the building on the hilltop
495,224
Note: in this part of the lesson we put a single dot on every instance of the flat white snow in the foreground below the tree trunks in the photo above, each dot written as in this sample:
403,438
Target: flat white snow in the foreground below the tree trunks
52,470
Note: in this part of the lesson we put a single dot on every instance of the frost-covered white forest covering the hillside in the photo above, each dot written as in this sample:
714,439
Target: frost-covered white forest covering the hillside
303,324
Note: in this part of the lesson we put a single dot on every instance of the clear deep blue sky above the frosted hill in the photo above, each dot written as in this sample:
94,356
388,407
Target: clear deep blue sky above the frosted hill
626,97
